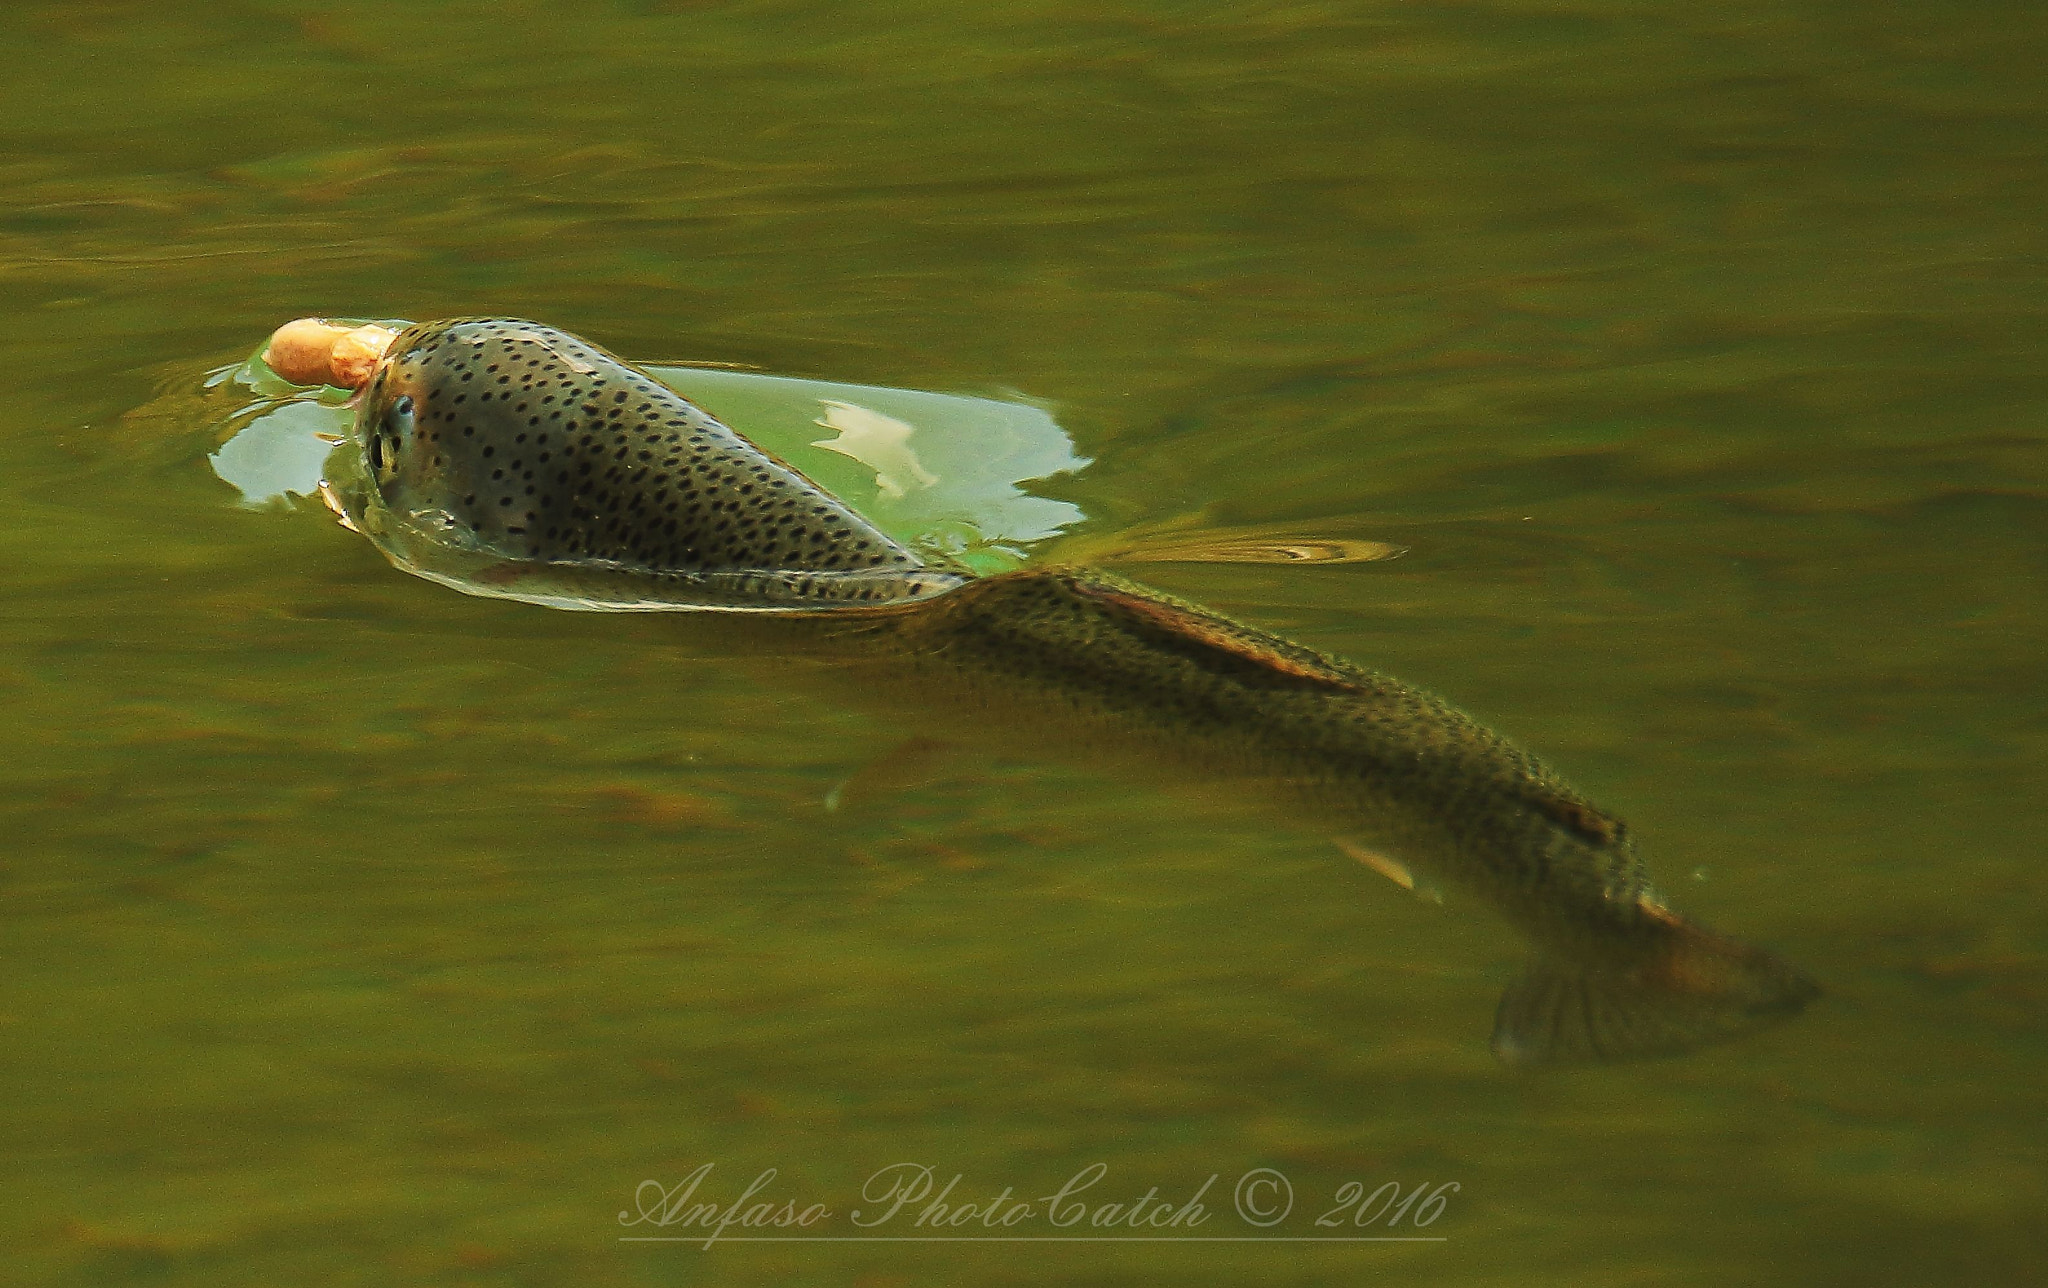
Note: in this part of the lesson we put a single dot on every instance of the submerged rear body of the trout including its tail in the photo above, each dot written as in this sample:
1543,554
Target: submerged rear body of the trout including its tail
1416,787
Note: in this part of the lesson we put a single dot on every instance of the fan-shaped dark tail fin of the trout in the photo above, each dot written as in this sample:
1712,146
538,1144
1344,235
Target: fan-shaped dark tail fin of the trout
1697,990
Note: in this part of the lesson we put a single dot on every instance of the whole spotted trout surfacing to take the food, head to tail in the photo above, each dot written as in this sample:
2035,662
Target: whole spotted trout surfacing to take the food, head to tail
507,458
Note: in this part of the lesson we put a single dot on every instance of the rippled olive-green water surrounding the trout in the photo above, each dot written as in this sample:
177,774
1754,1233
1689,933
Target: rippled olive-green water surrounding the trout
364,933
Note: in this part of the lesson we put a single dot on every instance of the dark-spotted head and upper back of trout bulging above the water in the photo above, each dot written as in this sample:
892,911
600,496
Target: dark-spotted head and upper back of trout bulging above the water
544,464
